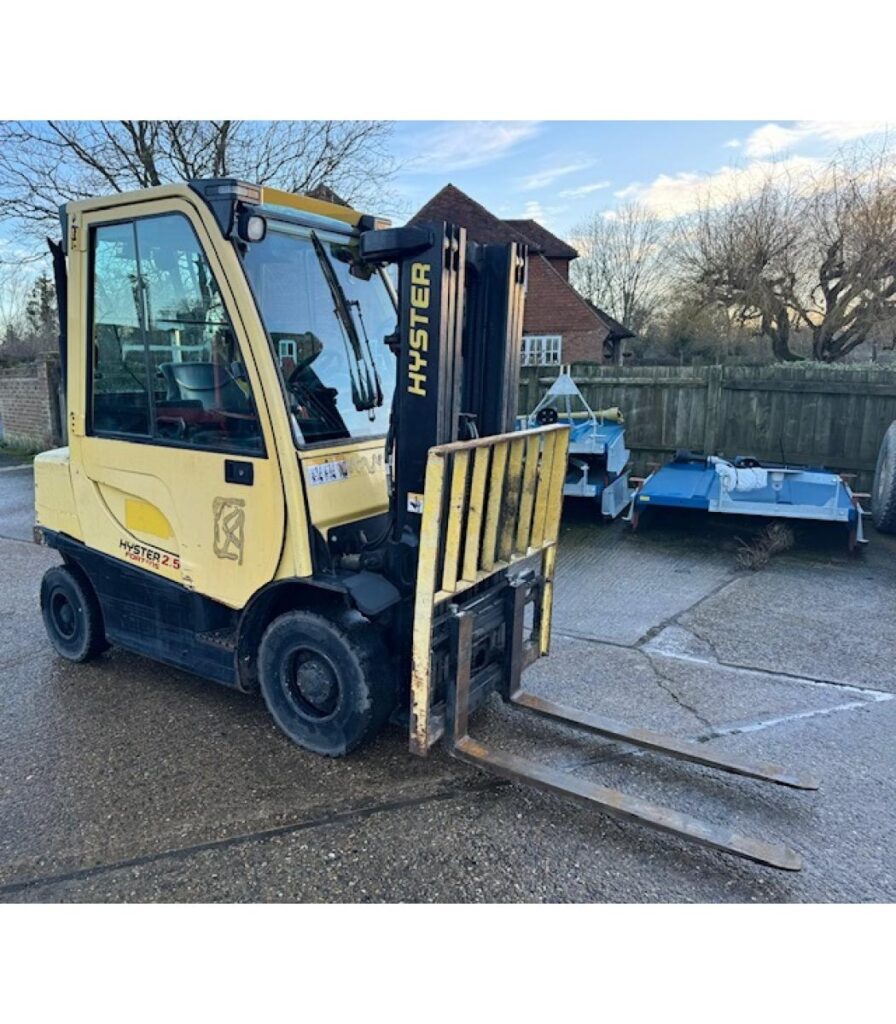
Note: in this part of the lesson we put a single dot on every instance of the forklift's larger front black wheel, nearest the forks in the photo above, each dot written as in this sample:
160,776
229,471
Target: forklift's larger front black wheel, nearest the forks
329,685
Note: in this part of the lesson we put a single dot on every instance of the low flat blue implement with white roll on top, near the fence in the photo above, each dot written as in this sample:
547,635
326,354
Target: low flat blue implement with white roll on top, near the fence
750,487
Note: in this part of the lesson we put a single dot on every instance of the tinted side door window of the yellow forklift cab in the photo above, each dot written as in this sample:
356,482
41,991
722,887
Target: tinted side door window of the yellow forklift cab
166,362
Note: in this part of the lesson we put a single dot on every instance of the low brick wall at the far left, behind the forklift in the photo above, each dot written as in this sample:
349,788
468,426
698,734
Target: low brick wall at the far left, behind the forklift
29,409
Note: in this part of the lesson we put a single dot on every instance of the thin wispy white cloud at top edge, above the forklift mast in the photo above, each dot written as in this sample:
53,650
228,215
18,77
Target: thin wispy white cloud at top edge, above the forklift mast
461,145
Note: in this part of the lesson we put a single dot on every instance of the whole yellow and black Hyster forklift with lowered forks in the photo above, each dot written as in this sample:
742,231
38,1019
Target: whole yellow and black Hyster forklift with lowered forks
287,474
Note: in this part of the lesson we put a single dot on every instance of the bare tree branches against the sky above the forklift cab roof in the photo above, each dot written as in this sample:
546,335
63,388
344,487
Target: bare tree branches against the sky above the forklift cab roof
46,163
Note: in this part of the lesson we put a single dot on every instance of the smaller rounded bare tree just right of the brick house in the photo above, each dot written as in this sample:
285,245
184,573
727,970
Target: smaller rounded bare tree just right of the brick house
623,264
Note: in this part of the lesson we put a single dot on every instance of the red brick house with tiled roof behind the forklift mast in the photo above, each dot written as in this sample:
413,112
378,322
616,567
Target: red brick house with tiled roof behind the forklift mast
560,325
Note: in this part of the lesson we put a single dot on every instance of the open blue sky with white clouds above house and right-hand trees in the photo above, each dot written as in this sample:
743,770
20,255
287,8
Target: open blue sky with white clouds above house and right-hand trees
562,173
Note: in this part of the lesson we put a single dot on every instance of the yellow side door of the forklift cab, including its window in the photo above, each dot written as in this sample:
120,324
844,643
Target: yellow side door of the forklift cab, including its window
174,458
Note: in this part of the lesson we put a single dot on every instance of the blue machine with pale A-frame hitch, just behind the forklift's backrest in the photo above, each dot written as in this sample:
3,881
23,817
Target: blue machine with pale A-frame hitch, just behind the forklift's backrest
599,463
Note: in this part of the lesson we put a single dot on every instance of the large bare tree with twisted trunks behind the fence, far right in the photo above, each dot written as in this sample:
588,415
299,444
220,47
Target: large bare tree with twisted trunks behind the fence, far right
818,257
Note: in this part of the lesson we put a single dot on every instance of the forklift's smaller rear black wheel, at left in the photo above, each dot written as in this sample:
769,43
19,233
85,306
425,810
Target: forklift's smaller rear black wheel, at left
72,615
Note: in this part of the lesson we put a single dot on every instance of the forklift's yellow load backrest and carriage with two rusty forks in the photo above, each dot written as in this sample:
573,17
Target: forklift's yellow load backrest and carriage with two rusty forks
483,615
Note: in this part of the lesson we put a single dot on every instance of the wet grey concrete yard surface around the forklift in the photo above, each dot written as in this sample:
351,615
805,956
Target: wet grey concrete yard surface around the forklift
124,781
